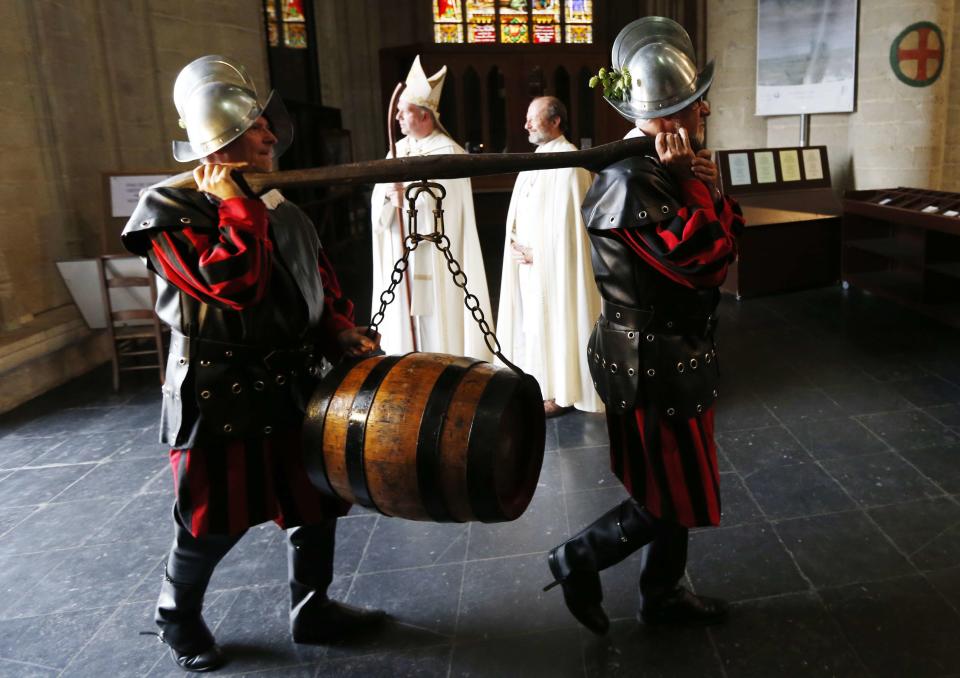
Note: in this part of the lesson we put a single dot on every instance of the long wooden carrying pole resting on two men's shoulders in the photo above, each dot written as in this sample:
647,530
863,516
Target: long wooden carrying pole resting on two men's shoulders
437,167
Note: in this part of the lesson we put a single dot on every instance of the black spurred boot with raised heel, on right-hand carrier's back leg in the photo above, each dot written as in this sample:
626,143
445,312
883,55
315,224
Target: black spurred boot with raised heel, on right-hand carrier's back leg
576,564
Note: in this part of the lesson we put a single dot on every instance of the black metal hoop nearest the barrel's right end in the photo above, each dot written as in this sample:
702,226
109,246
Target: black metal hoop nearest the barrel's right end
483,440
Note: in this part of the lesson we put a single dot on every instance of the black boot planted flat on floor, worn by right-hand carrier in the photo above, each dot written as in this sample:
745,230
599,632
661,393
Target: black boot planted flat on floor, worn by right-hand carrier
662,599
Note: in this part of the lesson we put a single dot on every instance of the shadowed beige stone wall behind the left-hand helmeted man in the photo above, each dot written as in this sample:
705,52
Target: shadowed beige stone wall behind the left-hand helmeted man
86,89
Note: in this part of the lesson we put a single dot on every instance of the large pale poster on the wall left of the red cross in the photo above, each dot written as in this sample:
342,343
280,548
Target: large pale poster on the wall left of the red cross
806,56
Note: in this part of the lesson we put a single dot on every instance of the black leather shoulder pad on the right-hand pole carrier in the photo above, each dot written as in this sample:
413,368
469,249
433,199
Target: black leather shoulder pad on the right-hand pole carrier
634,192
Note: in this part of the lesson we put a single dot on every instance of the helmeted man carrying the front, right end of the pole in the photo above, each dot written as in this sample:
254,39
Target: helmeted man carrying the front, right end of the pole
661,238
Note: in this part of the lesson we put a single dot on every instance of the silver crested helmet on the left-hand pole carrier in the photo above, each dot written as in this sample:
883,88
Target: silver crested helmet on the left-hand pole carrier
217,102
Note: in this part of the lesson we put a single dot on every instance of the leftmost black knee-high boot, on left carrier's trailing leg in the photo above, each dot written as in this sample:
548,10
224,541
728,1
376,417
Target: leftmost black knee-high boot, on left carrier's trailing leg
188,571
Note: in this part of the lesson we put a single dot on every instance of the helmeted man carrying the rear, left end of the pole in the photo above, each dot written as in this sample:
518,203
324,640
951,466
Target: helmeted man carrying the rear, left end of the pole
252,304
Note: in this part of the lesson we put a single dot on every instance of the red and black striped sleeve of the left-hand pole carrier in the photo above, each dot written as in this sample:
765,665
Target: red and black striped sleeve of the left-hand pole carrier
229,267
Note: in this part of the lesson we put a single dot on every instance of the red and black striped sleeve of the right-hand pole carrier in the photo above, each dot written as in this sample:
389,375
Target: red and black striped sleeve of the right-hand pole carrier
696,246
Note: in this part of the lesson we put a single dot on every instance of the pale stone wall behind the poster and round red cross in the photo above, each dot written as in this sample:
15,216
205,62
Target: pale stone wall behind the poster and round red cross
898,135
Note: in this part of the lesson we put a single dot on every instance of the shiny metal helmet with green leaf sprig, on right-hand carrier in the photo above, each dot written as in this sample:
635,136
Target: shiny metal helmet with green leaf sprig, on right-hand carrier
659,54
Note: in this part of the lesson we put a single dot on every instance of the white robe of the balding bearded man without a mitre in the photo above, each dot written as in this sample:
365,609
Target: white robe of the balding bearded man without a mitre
548,308
